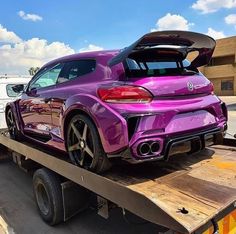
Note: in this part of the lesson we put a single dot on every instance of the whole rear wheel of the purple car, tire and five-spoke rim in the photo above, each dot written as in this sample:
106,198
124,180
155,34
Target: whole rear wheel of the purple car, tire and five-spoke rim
84,146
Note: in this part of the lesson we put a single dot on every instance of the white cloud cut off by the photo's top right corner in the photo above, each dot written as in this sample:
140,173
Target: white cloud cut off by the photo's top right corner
209,6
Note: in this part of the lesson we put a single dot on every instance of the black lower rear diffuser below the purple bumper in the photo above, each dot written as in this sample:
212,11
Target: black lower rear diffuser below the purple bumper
189,143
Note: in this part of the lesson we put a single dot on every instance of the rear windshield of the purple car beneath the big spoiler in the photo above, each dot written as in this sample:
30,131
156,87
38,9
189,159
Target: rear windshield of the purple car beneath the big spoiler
144,66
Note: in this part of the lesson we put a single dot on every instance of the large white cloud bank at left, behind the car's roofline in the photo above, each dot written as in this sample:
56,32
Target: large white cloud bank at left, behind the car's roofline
18,57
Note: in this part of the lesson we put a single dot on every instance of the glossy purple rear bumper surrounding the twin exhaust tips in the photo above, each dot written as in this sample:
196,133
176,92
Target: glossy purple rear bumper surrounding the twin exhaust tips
127,125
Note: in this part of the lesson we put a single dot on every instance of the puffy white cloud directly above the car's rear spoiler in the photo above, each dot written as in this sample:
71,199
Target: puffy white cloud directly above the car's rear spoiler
172,22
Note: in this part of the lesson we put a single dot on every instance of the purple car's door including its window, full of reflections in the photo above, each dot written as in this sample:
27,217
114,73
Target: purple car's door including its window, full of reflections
35,103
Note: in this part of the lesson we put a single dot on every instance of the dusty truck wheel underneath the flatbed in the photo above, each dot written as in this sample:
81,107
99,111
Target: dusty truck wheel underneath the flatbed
48,196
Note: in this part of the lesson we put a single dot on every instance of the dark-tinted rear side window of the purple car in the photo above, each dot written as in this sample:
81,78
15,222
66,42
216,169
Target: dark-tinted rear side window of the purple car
74,69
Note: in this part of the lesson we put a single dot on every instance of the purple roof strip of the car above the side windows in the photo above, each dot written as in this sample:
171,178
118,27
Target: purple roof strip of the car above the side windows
90,54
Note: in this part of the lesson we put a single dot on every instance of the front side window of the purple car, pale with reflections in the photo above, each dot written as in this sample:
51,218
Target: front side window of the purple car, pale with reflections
47,78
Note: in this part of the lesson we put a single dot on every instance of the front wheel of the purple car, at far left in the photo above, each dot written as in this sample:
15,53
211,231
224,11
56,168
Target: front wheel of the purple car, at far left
14,133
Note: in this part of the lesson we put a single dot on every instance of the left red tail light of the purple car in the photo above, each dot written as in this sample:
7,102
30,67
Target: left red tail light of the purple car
125,94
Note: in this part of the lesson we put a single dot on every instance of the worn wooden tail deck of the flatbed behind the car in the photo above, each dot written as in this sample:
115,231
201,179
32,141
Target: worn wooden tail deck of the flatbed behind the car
203,184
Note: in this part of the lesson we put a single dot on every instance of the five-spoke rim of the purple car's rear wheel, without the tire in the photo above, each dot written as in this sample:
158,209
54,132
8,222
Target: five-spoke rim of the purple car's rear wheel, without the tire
80,144
